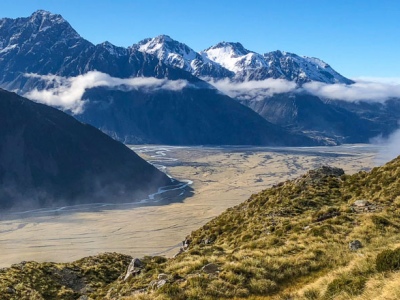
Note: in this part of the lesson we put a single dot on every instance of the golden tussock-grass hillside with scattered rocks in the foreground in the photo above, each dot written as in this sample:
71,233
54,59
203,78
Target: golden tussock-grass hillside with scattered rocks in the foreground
291,241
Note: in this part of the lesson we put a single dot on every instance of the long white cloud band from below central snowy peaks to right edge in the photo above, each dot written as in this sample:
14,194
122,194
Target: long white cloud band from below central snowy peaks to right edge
364,89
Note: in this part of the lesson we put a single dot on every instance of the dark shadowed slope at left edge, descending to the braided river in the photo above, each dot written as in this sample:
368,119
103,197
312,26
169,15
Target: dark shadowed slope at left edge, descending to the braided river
49,158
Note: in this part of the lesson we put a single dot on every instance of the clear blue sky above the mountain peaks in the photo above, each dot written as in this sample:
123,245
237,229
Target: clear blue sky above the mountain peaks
356,37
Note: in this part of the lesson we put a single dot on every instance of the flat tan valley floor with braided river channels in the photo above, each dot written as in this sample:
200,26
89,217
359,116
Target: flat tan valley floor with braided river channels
222,178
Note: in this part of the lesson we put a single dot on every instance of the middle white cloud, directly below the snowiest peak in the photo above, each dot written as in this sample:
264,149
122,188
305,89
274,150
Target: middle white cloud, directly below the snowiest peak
253,90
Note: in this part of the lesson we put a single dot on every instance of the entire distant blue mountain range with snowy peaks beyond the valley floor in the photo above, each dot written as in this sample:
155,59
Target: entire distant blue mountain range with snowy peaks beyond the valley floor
197,98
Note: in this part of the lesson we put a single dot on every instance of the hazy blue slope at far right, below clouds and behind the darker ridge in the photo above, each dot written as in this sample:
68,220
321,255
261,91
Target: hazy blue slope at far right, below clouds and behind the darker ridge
328,121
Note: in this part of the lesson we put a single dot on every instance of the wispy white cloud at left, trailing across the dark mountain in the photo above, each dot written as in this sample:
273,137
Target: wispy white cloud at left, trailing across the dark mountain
66,92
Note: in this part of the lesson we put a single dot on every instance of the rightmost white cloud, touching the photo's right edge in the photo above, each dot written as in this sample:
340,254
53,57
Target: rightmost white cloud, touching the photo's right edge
362,90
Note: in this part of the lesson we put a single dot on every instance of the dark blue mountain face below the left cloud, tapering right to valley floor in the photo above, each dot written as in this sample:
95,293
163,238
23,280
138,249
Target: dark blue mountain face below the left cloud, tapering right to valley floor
187,117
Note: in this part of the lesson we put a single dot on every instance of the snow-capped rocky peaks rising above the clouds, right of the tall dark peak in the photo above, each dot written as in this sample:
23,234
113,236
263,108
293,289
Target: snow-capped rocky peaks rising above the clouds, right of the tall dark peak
233,61
